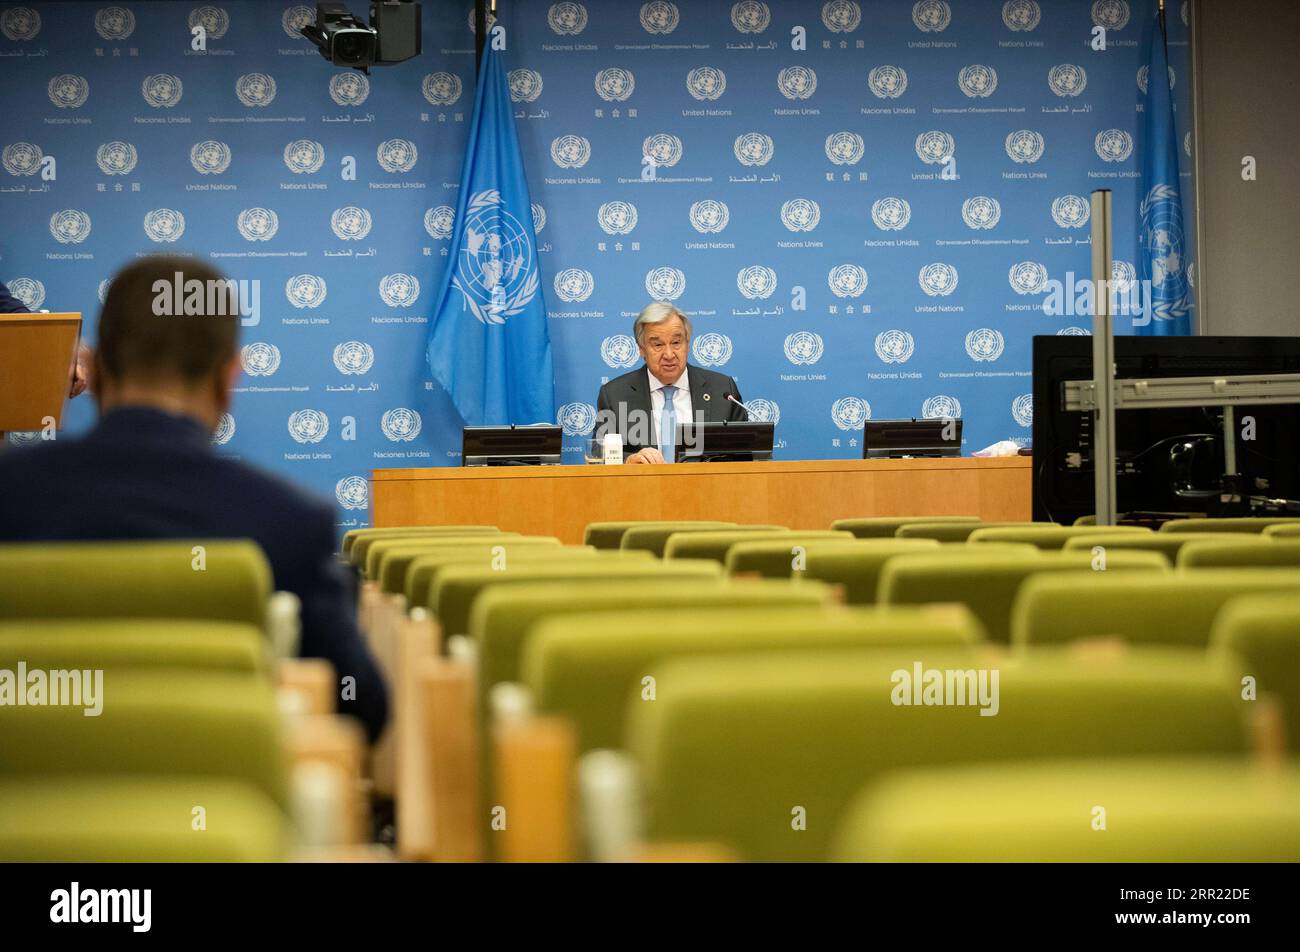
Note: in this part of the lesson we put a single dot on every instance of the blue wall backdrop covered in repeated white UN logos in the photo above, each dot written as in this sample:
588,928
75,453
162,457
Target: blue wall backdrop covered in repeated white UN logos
866,227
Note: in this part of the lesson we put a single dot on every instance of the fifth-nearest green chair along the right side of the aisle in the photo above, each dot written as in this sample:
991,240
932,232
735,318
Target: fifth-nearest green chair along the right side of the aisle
457,587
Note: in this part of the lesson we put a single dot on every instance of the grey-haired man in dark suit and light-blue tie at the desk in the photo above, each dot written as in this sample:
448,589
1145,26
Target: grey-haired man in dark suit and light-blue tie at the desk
647,405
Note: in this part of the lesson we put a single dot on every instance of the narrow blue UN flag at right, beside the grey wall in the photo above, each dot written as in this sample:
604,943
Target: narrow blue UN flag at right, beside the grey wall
1162,243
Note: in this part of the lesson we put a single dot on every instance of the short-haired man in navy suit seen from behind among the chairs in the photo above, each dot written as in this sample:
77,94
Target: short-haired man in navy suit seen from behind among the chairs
148,469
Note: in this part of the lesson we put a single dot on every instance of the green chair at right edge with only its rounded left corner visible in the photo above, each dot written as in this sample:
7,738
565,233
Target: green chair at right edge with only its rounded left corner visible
1260,637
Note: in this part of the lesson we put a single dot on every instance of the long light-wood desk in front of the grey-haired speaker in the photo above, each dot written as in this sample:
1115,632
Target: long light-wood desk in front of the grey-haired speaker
804,495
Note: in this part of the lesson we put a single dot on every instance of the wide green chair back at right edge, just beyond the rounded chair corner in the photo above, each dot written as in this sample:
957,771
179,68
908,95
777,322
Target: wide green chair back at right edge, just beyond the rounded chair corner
1171,609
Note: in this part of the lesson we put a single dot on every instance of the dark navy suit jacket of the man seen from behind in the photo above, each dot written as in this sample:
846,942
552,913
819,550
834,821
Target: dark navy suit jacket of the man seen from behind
145,474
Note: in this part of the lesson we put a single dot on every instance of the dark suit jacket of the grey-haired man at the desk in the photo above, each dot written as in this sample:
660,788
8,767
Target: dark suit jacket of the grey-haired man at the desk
623,406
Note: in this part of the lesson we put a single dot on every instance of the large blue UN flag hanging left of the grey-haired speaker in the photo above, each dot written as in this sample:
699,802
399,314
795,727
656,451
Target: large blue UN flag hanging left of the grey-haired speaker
489,345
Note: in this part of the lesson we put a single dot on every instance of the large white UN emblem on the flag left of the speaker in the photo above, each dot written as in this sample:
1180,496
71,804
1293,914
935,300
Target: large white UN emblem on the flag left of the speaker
496,272
